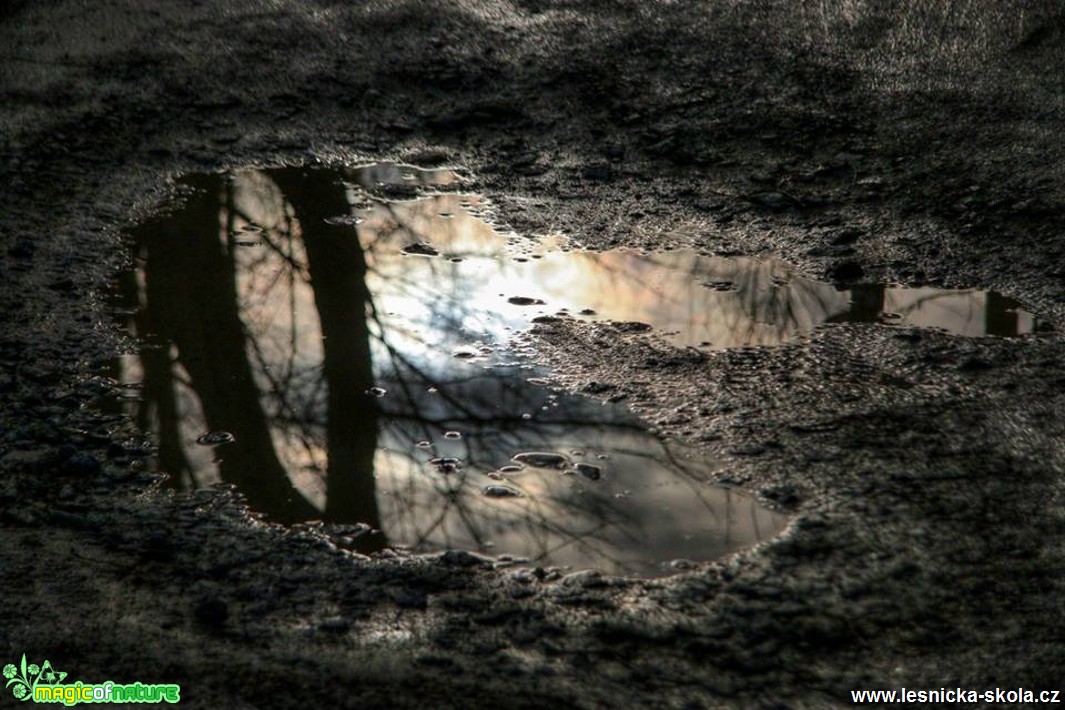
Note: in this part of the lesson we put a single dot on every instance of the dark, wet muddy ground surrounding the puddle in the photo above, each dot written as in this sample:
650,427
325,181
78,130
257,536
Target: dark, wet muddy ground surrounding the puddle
906,141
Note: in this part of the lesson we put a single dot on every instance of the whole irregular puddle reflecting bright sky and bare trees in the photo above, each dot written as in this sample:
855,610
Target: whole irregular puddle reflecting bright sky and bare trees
338,344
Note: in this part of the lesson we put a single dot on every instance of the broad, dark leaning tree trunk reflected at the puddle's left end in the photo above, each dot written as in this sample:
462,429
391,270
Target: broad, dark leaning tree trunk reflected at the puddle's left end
202,320
